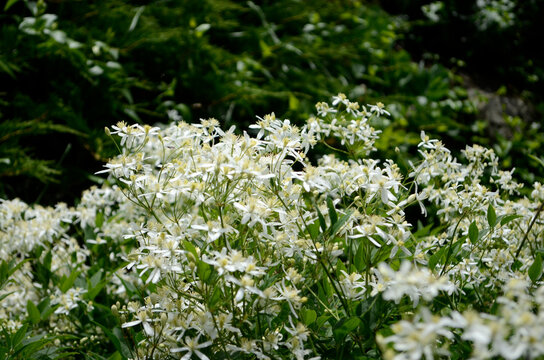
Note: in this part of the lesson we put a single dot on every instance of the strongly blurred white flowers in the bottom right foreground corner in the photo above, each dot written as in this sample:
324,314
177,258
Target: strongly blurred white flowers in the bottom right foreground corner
516,331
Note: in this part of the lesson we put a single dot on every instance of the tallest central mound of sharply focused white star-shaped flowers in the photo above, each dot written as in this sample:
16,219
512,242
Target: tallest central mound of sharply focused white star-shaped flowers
226,194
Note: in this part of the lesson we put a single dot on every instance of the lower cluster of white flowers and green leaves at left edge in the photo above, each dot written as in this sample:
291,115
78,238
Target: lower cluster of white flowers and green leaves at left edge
62,258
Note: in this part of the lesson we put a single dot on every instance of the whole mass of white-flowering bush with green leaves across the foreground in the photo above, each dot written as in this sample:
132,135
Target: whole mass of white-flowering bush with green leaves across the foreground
214,245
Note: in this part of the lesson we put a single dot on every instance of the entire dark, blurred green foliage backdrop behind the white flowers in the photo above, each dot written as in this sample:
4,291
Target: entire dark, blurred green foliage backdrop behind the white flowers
463,71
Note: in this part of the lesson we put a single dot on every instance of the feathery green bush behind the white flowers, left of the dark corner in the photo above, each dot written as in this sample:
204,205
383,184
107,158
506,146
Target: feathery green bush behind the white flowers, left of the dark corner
75,67
